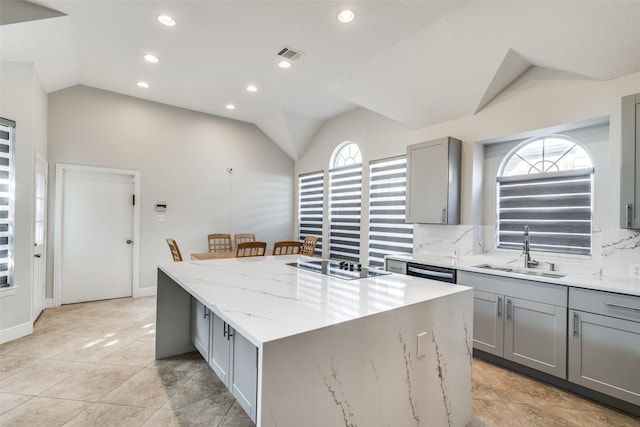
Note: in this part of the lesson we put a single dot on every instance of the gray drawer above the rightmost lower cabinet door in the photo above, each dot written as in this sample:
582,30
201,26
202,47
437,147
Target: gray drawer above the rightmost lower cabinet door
605,303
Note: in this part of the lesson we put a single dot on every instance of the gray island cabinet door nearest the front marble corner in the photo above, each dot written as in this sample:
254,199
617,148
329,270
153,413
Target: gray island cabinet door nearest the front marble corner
245,374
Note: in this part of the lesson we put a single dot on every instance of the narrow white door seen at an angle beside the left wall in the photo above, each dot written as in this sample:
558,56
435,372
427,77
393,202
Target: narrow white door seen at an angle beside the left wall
40,236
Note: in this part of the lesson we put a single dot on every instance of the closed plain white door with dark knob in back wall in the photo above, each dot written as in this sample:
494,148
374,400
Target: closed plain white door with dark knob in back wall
97,233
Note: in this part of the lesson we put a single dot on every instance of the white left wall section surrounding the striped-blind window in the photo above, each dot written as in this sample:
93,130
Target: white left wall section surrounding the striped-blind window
23,100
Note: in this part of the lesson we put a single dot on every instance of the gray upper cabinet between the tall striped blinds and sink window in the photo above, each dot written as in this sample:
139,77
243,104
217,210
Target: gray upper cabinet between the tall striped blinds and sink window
433,182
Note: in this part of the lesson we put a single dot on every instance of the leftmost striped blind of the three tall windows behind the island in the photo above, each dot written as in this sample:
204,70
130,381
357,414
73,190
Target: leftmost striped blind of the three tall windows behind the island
311,207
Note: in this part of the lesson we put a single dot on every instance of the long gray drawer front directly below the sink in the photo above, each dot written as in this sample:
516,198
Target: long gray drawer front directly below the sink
525,289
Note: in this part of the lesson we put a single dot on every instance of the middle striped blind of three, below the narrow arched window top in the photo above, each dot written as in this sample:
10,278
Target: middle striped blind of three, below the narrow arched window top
345,188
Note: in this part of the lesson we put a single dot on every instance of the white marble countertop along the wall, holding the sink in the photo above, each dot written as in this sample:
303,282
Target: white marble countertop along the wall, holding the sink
586,281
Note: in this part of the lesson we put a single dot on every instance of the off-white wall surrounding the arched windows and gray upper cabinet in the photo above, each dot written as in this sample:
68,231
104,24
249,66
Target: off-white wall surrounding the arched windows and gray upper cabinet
540,99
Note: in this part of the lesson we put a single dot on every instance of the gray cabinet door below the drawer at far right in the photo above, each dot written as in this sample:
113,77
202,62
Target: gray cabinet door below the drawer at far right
604,355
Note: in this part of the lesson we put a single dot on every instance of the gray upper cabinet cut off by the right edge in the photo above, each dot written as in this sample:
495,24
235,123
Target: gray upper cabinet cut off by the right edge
630,163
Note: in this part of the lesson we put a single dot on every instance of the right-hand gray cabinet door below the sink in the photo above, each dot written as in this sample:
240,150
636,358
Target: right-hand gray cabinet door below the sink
535,335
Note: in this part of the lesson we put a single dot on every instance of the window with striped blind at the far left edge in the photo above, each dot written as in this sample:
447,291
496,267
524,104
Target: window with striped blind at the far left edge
7,194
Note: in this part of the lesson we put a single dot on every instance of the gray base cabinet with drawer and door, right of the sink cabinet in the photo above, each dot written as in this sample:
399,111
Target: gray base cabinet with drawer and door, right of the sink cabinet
604,343
